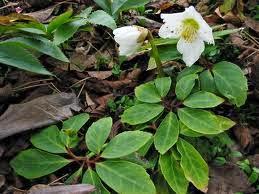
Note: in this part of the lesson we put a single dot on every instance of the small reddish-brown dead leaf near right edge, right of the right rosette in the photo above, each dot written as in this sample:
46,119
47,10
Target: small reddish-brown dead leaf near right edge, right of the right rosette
243,136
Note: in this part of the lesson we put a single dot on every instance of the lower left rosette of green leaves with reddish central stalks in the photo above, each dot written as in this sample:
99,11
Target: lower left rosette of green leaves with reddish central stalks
112,162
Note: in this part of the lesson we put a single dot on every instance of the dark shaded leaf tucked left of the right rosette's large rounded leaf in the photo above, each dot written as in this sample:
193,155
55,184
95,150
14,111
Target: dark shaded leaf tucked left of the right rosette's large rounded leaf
207,82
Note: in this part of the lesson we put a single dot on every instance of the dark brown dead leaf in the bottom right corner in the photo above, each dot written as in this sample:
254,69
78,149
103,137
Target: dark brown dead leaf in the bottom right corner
228,179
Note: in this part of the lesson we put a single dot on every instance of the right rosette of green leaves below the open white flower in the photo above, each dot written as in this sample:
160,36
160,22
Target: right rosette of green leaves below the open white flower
184,108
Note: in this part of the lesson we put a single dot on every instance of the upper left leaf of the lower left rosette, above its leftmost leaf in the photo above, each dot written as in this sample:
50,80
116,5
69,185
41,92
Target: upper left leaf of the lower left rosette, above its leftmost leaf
49,140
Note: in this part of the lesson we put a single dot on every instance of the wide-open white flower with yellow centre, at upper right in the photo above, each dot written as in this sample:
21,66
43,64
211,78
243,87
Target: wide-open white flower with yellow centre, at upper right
192,30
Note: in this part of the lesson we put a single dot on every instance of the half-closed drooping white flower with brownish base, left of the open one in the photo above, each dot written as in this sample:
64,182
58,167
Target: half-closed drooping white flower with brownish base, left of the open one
130,38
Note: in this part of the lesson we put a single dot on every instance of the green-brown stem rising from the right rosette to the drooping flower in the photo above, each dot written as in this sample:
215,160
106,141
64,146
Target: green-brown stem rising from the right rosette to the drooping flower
155,54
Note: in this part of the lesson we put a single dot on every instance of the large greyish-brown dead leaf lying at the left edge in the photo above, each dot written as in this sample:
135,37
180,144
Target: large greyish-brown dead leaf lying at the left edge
37,113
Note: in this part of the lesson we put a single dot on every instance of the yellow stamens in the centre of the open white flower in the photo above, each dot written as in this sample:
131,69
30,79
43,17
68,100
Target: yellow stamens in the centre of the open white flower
190,29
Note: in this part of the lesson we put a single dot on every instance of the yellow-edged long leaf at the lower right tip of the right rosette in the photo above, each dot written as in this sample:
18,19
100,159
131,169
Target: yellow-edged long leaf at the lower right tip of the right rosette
195,168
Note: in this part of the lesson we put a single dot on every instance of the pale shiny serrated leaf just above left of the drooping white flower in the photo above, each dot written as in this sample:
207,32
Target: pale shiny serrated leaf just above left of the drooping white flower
102,18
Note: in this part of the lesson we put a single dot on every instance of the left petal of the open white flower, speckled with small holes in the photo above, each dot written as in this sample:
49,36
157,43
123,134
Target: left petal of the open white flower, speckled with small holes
172,25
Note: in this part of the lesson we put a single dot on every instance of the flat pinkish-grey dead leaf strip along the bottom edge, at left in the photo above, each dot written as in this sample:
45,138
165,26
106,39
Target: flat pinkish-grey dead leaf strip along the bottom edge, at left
64,189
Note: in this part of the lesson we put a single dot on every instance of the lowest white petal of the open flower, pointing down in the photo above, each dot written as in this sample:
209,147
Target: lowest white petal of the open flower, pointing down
191,50
